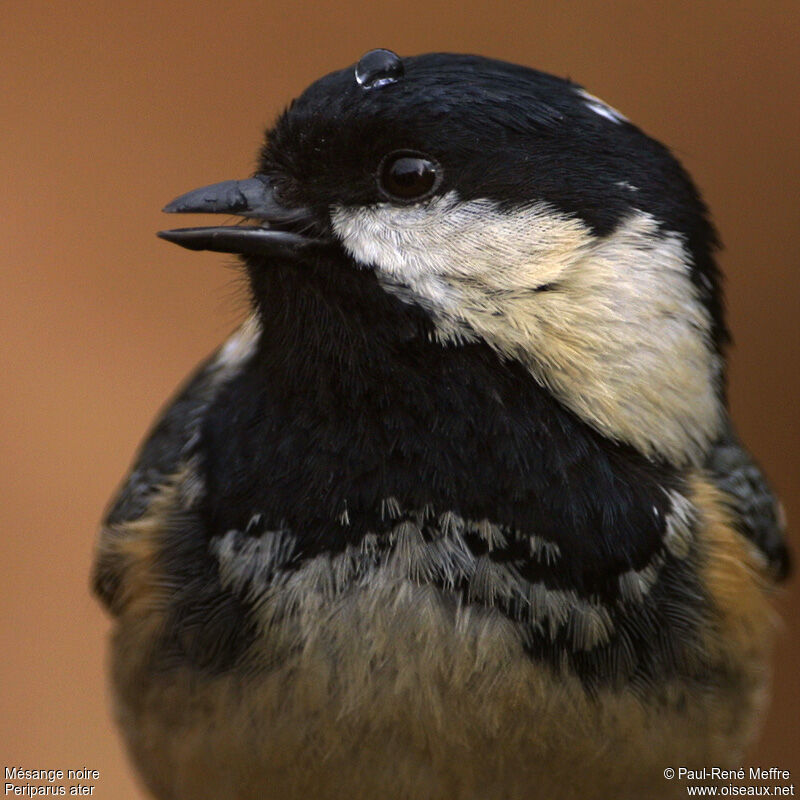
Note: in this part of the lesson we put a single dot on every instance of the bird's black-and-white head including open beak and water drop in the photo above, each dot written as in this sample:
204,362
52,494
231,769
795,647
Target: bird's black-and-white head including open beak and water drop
513,208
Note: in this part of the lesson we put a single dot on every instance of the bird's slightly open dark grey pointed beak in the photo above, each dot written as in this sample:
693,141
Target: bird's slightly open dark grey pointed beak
276,233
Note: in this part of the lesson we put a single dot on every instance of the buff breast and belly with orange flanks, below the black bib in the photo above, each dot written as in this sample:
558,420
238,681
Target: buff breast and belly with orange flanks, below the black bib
357,685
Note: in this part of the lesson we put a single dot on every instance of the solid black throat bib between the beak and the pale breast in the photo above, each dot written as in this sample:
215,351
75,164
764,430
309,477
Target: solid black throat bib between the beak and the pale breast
350,403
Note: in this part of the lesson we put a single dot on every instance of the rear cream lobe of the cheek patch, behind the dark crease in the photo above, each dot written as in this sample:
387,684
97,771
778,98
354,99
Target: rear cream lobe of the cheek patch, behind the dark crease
625,342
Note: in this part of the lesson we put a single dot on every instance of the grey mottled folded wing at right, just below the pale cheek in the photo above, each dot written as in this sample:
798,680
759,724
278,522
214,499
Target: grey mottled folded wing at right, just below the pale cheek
757,510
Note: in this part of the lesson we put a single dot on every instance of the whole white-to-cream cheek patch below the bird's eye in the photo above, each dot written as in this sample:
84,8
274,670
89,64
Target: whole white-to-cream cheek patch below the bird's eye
620,336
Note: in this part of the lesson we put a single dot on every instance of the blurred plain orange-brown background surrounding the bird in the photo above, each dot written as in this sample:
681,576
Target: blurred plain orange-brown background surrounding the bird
108,110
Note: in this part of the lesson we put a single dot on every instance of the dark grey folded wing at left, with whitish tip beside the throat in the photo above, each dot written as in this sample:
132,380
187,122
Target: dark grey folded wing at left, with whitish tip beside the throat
166,450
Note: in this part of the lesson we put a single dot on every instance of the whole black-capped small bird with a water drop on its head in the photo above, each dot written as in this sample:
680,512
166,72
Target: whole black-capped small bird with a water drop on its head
458,513
